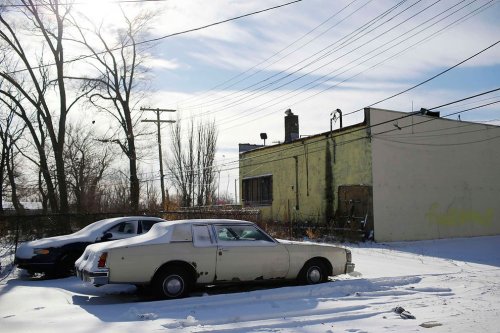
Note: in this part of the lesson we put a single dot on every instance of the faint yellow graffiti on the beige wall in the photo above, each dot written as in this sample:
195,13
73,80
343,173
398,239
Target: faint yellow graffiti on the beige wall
458,216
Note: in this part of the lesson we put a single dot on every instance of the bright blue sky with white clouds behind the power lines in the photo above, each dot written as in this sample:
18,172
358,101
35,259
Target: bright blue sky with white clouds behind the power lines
312,56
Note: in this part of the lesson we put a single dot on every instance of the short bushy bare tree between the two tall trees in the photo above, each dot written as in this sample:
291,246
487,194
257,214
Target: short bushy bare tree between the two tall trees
87,162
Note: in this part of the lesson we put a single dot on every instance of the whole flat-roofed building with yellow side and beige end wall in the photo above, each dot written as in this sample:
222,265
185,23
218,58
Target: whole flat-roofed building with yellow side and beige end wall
398,176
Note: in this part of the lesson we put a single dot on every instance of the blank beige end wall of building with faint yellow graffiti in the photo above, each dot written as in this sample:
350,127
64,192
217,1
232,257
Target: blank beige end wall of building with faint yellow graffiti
434,179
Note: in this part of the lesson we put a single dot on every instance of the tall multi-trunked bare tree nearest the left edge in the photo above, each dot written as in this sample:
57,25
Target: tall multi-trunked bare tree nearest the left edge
34,75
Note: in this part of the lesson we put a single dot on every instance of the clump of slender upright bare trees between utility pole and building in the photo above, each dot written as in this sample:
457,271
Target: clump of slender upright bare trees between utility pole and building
192,163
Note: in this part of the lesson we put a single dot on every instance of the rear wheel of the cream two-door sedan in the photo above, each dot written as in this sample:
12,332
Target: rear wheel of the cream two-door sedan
172,282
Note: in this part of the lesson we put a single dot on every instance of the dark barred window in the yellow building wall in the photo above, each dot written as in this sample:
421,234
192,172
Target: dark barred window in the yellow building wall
258,191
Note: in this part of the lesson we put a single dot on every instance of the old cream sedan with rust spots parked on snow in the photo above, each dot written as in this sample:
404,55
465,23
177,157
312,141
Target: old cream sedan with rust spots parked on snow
175,256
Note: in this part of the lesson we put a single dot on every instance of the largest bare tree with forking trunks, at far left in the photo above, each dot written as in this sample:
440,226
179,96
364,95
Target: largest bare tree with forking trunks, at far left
34,88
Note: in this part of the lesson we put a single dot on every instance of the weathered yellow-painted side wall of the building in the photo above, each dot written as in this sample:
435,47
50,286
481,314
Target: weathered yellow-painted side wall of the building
350,163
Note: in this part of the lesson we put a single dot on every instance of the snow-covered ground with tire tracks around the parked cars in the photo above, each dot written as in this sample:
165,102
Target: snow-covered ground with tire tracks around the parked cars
448,285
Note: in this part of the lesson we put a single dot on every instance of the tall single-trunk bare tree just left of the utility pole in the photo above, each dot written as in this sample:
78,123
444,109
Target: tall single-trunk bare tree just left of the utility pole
118,67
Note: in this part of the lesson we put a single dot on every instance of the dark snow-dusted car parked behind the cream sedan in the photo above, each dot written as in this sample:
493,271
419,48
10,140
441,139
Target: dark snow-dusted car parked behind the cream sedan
56,256
